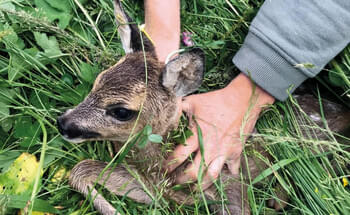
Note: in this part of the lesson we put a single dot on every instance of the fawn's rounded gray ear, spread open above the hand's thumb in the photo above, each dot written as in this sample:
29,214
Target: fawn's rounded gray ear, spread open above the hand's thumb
184,74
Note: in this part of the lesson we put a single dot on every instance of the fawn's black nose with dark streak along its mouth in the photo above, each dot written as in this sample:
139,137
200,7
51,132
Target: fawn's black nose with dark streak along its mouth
71,130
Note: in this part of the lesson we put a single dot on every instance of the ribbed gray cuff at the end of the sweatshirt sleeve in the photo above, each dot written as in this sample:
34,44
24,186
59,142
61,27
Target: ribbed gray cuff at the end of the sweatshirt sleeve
267,68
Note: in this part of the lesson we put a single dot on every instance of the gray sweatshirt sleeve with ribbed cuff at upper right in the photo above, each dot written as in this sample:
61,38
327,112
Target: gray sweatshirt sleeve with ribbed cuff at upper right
288,33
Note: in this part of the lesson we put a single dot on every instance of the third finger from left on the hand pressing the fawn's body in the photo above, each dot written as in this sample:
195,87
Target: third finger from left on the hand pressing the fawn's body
213,172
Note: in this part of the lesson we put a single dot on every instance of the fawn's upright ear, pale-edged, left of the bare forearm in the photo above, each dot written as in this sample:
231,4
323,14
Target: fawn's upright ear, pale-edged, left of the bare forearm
129,33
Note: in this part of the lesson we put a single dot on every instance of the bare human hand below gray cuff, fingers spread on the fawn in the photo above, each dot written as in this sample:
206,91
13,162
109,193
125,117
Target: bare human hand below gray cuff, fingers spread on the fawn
225,117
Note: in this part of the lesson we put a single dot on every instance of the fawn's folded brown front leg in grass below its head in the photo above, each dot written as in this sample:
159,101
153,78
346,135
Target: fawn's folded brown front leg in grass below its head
85,174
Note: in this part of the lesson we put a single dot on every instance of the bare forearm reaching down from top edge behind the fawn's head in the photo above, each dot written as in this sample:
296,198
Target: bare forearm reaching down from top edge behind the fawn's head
162,23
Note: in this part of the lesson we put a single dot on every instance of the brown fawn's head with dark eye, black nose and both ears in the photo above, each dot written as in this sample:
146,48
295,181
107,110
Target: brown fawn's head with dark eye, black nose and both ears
137,91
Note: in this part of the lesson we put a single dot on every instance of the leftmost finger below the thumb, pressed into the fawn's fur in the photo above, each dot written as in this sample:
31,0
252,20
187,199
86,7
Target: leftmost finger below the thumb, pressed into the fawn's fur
181,153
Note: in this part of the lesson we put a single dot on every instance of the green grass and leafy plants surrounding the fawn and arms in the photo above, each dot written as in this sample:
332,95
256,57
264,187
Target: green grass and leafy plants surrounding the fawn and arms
51,53
